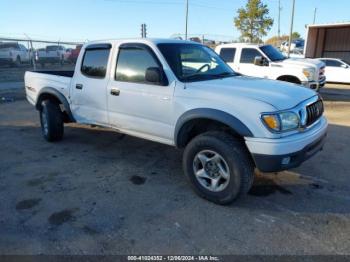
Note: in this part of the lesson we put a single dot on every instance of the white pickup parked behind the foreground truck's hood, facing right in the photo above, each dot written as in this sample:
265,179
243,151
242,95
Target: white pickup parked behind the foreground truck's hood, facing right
265,61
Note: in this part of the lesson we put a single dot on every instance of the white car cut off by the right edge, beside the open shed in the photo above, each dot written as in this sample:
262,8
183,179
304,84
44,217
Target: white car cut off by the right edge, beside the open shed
337,70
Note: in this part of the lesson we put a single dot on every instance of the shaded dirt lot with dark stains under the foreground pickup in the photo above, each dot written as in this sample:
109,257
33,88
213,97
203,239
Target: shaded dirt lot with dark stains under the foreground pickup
99,192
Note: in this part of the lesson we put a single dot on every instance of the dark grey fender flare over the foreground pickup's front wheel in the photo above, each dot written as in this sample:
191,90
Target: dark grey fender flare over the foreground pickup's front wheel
212,114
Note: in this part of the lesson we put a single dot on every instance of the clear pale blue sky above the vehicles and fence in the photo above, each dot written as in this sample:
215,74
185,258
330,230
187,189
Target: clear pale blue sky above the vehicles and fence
81,20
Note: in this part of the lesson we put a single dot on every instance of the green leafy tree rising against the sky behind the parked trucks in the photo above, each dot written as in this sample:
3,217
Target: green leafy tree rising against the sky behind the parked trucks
253,21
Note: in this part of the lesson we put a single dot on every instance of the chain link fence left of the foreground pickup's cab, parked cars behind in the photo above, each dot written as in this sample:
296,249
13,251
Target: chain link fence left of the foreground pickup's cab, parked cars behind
20,55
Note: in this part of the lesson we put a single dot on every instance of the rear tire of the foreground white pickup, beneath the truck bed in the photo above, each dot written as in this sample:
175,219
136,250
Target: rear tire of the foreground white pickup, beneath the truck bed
51,119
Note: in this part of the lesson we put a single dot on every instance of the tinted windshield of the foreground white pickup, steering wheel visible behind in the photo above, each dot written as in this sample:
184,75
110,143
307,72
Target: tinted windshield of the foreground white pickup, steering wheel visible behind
194,62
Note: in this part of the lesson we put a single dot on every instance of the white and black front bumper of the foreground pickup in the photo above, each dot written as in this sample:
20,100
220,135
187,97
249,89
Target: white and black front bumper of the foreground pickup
273,155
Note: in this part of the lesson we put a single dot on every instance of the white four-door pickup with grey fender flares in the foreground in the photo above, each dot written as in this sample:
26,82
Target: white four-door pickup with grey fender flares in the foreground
183,94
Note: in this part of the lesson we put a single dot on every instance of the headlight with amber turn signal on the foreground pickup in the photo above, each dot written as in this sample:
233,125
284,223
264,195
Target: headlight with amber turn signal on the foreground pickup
281,122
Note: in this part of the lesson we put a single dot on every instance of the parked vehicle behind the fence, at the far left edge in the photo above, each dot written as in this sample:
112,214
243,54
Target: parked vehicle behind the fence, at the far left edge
14,54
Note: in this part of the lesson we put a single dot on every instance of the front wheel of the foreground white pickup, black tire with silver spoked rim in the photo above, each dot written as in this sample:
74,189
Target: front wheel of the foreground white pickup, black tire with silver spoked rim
231,155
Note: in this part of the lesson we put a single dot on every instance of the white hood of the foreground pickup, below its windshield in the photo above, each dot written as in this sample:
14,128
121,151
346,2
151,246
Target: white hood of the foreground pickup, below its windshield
281,95
